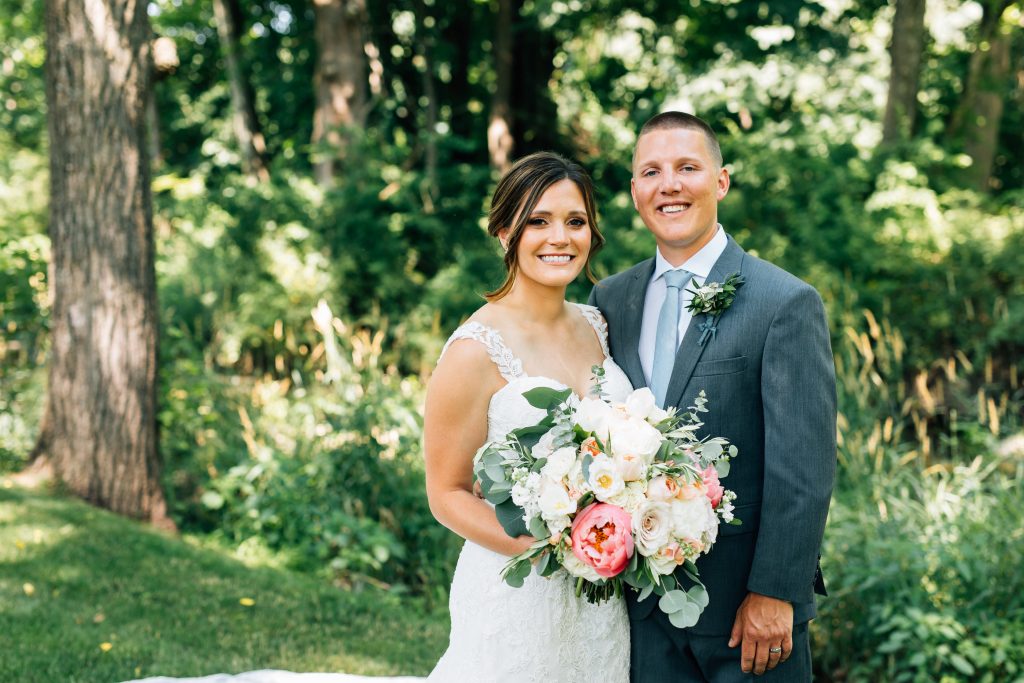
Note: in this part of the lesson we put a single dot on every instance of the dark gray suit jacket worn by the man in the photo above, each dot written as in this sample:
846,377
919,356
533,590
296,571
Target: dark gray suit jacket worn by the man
771,381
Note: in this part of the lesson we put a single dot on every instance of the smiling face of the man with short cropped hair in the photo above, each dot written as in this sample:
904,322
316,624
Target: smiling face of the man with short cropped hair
676,188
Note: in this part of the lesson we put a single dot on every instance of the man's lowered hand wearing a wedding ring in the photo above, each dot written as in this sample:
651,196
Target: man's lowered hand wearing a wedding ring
762,624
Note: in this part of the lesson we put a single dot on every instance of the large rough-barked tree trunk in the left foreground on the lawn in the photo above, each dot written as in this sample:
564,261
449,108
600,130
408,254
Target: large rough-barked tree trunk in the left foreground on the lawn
101,428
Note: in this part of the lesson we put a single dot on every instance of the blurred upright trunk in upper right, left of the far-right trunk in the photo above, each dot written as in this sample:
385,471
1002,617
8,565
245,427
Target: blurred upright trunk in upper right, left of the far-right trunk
906,51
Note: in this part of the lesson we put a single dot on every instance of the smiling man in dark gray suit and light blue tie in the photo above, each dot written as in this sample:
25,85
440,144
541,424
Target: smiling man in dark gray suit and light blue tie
766,365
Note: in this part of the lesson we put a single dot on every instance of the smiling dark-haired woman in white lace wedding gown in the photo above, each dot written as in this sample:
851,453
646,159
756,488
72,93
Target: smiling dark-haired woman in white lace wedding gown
526,336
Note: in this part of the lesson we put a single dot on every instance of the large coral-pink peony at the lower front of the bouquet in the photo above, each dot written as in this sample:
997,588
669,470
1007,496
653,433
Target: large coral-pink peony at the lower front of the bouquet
603,538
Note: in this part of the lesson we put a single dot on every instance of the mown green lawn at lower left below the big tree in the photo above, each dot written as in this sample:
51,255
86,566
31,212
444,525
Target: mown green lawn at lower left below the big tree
74,578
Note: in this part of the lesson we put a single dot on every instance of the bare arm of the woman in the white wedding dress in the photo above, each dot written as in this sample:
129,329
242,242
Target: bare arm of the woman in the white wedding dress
455,426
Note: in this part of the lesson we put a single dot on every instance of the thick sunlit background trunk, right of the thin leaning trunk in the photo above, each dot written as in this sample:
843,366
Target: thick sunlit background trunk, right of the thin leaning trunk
342,82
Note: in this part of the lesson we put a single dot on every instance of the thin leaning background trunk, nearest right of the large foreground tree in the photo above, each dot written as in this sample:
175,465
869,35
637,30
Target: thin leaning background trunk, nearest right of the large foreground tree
245,122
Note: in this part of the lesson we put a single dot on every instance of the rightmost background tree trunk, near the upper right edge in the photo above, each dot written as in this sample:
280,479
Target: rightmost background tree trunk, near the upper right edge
976,121
